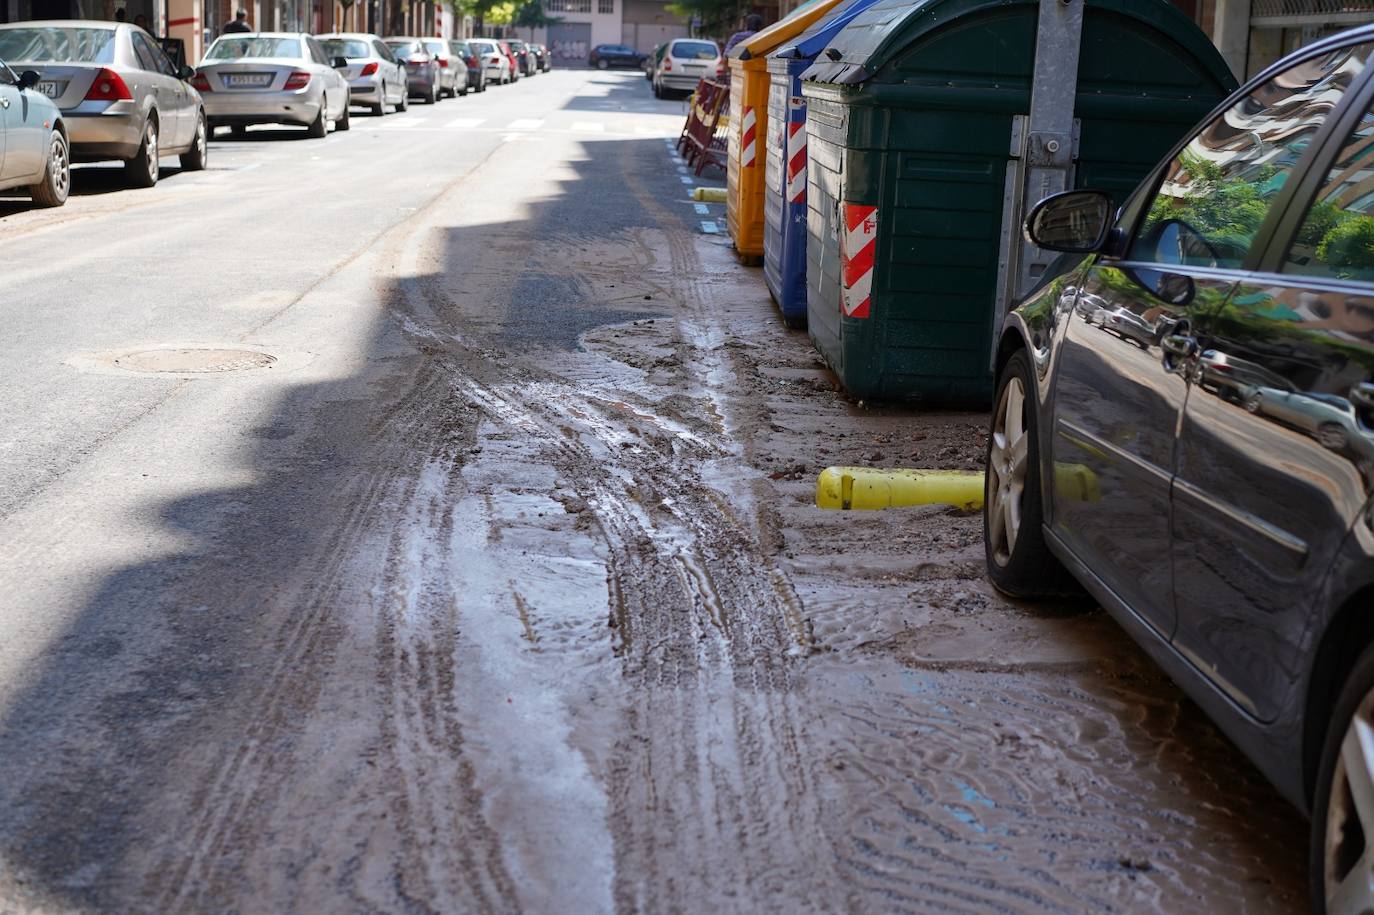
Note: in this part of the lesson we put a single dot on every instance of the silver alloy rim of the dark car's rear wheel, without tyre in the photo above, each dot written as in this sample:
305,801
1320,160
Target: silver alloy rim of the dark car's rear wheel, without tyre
1349,861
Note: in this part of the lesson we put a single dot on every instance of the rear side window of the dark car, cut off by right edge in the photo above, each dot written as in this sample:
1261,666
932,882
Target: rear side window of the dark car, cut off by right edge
1336,240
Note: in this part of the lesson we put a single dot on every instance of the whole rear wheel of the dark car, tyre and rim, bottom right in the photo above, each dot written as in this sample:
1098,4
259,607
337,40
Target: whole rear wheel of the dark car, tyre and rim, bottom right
1343,810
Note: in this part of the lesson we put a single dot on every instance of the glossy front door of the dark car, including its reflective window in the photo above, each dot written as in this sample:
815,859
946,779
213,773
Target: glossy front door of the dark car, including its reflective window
1123,384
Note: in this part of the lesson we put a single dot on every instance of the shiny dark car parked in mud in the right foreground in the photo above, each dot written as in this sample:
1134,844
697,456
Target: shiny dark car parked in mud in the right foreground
1240,554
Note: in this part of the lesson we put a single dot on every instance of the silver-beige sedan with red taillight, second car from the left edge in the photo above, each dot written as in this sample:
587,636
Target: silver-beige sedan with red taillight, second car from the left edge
119,94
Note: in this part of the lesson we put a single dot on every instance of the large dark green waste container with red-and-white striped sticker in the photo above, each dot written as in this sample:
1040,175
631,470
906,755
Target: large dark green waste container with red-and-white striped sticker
927,144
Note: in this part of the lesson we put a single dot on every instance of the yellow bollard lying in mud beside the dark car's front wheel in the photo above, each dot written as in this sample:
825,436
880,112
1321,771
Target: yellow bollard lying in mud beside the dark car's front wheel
869,488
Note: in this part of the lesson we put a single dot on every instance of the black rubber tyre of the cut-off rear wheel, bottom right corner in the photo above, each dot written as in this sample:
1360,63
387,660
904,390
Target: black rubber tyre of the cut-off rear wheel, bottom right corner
1335,840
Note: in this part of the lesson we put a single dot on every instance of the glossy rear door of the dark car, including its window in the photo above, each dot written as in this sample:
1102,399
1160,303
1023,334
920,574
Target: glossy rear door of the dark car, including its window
1272,477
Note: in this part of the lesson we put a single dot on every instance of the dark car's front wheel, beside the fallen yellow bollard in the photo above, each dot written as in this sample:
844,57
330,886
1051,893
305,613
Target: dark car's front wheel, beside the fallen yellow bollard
1019,558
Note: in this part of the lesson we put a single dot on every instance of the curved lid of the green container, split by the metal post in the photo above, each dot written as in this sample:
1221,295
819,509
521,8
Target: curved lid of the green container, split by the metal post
887,28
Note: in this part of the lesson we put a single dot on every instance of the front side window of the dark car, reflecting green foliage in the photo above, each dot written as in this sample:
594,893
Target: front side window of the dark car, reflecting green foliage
1217,193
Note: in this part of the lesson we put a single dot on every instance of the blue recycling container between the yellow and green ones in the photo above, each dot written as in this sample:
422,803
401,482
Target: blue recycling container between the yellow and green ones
785,163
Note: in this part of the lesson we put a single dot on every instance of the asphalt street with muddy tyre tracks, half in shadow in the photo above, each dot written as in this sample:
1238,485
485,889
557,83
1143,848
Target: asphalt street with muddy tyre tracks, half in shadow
421,520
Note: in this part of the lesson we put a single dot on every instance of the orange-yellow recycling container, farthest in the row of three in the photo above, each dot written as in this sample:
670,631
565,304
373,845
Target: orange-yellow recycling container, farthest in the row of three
750,126
